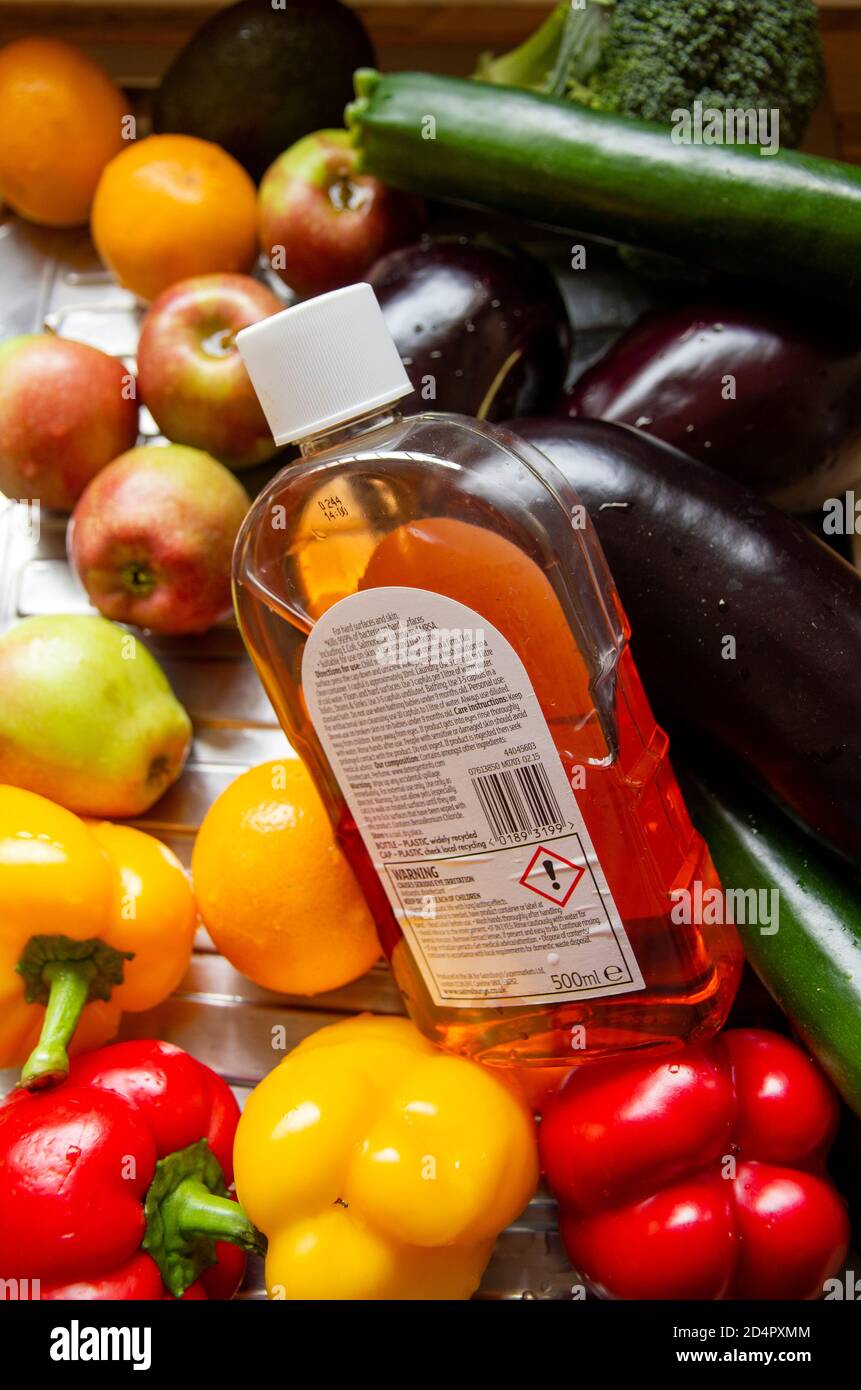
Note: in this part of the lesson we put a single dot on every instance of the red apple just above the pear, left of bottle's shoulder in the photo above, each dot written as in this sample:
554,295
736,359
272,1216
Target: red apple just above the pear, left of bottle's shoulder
152,539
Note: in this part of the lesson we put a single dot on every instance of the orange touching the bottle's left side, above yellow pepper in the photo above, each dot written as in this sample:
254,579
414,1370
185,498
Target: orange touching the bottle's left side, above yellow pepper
273,888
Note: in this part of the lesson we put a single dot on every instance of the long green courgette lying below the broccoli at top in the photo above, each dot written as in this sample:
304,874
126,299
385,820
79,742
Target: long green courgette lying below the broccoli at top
788,218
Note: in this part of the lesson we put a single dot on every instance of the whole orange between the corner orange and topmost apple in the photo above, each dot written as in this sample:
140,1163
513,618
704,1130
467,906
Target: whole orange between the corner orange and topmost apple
170,208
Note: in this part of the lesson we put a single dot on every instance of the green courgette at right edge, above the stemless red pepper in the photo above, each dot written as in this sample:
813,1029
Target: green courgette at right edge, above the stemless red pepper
812,964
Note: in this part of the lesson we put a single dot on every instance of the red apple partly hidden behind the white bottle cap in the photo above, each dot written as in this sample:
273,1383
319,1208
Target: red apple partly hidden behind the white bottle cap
190,370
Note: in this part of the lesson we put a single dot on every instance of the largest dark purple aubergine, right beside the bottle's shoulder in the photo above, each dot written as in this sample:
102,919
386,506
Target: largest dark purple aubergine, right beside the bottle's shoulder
746,629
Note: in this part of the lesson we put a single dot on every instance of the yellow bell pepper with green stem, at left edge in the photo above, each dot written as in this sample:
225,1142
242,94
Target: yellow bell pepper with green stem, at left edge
95,919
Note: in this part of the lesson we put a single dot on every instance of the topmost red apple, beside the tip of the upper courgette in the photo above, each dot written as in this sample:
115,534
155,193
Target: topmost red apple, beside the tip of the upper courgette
322,223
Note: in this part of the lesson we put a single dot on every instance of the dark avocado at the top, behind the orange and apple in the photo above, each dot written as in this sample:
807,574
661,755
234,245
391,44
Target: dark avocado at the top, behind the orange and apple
261,74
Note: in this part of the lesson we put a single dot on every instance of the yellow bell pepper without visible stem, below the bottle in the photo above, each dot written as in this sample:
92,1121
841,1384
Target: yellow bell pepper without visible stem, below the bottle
382,1168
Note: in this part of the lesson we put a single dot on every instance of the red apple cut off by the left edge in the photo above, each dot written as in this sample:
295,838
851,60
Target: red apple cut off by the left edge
66,411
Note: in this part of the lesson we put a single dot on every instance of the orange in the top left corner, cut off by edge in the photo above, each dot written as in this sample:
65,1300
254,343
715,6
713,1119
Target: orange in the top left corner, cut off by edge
61,123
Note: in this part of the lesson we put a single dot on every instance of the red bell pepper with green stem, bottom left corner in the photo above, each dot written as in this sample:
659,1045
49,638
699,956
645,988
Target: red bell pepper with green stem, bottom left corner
115,1185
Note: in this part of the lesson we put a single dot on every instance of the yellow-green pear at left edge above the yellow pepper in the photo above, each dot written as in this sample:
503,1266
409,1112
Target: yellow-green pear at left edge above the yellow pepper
88,717
